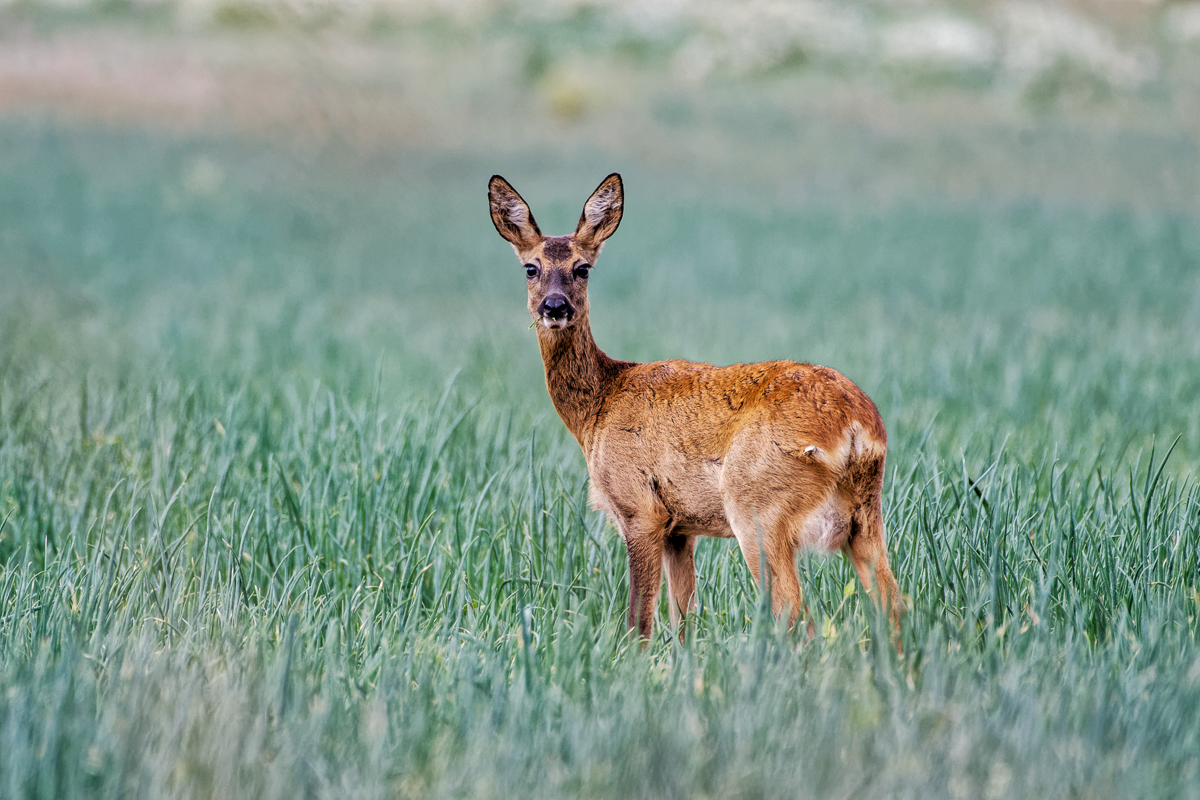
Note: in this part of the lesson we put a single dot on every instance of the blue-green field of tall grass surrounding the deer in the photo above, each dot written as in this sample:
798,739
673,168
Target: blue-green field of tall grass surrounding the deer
287,512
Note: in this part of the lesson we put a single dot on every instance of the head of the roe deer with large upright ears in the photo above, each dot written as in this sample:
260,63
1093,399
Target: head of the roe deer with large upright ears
557,267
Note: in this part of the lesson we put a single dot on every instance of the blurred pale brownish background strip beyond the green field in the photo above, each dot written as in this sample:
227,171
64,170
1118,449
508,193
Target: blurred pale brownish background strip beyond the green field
1087,103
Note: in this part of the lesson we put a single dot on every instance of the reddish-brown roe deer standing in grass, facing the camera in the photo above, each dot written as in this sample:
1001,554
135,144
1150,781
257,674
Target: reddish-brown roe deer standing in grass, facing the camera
778,455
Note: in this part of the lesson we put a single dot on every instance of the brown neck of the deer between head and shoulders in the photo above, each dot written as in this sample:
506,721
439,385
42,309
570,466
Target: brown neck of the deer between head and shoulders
579,377
